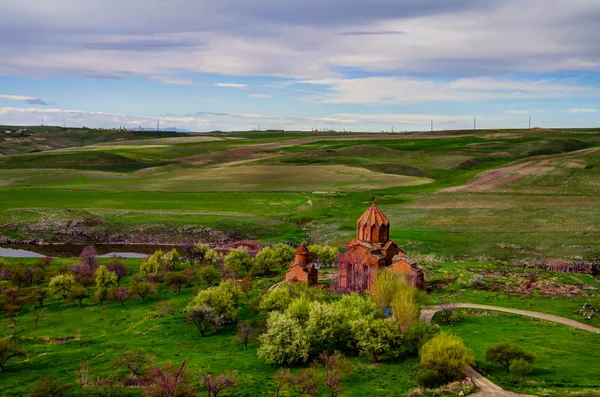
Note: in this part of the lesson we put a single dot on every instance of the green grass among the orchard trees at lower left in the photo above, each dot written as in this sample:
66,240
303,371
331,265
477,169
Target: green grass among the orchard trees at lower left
68,336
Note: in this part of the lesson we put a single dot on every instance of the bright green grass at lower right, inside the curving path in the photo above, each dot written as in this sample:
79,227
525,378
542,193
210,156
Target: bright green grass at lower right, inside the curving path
565,359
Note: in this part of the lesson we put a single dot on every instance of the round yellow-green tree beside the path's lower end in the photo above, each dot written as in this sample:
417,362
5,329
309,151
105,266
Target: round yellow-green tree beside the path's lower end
447,356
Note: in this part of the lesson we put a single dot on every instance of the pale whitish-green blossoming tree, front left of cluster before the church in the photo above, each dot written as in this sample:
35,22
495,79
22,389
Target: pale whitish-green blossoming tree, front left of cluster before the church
285,342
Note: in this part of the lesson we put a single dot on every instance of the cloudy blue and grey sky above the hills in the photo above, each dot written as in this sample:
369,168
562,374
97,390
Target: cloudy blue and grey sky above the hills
354,65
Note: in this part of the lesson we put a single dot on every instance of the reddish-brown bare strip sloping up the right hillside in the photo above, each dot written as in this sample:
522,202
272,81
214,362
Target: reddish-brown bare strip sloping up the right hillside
501,176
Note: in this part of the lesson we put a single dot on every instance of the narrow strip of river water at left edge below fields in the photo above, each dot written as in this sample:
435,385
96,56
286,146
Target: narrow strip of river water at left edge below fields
72,250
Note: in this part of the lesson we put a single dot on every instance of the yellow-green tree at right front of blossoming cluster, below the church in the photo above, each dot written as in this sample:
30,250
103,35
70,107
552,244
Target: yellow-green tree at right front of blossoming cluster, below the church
376,337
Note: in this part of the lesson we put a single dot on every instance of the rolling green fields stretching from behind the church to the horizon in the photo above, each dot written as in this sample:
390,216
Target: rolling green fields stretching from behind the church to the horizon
313,186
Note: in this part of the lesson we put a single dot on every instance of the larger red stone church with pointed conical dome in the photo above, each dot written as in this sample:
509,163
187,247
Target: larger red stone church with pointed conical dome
373,250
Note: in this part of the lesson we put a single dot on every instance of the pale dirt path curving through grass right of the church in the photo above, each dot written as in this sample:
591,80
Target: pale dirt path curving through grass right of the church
486,387
